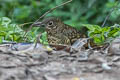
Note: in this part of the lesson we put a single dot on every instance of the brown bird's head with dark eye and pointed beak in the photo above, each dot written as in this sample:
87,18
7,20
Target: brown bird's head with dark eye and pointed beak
48,23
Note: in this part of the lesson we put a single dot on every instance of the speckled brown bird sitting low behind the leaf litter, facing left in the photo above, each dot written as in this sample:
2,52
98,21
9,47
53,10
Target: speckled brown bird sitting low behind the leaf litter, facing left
58,32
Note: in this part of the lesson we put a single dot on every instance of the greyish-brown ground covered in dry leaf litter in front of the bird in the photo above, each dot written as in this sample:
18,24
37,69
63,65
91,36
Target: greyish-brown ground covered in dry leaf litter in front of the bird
43,64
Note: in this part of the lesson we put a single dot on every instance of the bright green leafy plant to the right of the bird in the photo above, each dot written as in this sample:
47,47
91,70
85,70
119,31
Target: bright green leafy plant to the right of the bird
102,35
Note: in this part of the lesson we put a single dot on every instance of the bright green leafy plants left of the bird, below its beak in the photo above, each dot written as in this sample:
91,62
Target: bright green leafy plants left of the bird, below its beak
13,32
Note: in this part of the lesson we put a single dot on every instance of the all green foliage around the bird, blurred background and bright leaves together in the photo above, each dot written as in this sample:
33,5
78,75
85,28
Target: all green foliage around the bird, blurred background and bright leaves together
91,13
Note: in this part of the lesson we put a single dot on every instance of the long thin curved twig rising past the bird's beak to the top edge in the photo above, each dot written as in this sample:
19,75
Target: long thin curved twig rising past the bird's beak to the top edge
46,14
